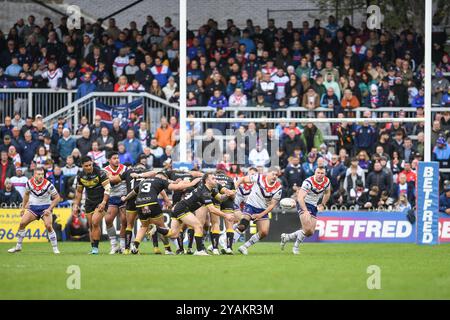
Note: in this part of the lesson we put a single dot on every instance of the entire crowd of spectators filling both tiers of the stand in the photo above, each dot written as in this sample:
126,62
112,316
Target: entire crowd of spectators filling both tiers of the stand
337,67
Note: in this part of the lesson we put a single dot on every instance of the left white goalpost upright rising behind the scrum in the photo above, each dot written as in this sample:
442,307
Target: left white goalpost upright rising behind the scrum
182,77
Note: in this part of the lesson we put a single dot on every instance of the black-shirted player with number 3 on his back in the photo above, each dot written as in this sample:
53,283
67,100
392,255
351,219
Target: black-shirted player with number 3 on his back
148,208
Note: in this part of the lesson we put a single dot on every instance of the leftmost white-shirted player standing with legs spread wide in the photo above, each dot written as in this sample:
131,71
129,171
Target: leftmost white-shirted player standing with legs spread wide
39,200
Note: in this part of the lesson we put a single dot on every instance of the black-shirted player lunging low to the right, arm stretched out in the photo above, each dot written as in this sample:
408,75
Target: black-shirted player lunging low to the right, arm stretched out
182,212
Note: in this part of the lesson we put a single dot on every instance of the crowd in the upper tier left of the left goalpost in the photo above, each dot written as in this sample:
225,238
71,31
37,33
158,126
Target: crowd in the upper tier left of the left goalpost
42,55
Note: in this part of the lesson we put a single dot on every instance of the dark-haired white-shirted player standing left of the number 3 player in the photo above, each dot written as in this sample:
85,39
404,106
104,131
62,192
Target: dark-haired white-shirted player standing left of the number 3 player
116,207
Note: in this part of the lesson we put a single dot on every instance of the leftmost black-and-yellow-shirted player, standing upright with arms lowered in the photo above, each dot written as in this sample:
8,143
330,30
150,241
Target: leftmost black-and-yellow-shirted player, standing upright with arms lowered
96,183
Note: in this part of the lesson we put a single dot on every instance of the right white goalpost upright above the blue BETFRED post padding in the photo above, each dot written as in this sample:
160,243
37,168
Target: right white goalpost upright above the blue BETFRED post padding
427,105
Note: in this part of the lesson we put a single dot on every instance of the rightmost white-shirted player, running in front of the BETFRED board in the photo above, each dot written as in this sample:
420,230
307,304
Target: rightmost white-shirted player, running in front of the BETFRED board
314,189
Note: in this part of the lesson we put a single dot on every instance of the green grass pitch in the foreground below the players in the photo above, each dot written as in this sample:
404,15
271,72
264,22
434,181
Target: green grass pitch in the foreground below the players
321,271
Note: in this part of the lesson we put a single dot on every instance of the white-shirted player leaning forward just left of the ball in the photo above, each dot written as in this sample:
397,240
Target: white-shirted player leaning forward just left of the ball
265,195
